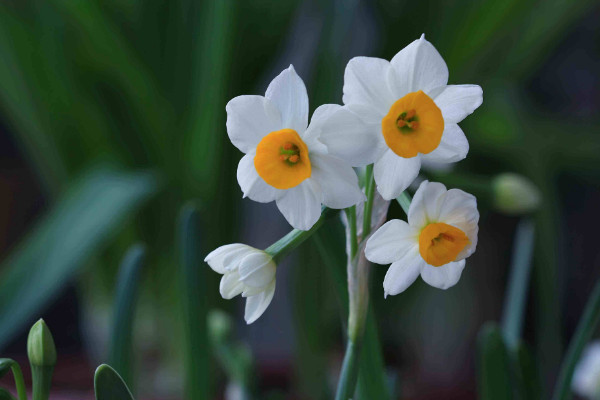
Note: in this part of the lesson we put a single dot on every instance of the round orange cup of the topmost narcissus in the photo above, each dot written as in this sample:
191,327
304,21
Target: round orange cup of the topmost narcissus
413,125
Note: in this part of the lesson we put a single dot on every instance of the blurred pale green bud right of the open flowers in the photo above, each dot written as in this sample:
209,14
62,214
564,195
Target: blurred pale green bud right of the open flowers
514,194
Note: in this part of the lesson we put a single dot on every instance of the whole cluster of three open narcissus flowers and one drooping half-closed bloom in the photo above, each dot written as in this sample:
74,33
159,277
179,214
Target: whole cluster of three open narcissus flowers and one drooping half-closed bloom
395,114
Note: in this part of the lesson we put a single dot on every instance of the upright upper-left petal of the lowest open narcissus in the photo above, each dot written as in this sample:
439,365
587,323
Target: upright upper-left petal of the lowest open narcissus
425,205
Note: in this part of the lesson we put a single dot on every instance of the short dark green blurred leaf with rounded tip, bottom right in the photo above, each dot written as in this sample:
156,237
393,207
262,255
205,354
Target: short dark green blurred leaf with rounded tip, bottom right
494,376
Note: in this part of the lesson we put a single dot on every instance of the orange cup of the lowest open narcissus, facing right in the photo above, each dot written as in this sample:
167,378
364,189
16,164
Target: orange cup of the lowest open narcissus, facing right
441,243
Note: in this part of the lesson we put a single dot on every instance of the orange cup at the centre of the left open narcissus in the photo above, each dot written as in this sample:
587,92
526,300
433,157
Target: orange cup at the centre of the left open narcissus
282,159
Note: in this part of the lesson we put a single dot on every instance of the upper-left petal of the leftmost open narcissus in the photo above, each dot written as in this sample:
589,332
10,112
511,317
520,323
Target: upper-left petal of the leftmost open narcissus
249,119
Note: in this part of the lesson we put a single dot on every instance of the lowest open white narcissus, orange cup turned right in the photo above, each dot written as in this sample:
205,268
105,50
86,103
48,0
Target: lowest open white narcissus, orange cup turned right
441,232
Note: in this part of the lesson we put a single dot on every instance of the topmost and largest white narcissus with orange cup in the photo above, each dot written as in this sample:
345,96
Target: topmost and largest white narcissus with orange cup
398,113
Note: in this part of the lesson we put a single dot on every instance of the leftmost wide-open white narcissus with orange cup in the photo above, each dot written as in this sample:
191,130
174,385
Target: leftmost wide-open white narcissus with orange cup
285,162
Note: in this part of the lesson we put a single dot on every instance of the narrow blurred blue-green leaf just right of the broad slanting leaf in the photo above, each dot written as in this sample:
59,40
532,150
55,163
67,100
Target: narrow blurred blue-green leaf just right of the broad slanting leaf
120,355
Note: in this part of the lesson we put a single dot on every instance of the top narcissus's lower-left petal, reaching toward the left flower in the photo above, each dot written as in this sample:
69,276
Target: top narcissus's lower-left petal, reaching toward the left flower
350,138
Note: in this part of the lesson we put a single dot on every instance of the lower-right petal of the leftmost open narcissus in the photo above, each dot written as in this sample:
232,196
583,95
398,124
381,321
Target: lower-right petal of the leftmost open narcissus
337,180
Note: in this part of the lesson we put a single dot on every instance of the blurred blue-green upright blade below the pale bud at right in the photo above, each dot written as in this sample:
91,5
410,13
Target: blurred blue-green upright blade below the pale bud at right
516,296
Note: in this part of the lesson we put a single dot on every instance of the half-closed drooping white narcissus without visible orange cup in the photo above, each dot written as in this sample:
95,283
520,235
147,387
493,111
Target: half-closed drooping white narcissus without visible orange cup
246,271
